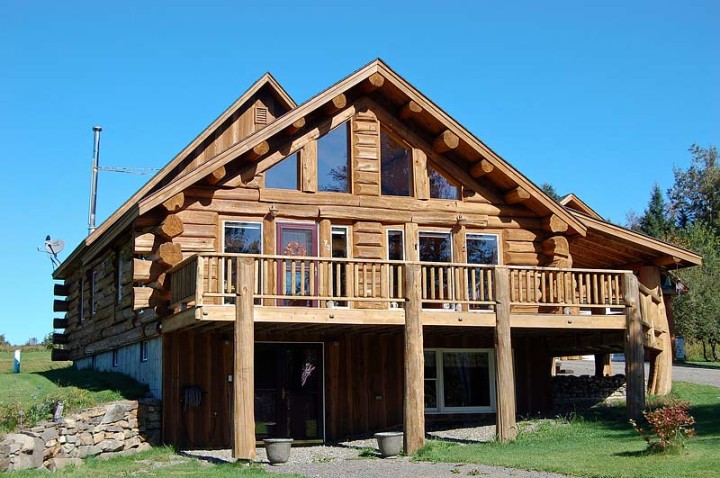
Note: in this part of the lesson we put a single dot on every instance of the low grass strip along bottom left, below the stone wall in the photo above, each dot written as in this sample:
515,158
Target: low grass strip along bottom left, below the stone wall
158,462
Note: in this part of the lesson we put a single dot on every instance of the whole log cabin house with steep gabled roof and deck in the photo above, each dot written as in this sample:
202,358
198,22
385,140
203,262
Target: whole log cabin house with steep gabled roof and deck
352,264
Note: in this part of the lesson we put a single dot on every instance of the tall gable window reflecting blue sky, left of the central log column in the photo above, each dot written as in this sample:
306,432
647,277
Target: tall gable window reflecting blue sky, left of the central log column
333,161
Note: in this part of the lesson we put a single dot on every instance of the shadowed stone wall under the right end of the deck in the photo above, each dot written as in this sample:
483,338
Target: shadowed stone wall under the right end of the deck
586,389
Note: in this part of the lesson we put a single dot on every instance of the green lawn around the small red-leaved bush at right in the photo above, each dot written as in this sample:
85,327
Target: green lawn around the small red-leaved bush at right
600,443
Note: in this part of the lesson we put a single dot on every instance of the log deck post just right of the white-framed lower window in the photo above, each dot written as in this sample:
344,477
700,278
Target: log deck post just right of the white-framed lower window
506,429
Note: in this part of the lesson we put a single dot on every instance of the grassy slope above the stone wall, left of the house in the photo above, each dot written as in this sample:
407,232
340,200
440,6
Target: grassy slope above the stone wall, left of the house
42,382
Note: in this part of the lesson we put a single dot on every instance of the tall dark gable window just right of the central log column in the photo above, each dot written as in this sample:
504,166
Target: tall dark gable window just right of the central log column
395,167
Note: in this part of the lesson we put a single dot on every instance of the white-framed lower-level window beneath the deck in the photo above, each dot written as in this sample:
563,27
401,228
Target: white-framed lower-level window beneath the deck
459,380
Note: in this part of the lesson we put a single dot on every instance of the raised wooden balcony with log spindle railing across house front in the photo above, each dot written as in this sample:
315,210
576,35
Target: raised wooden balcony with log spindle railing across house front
357,291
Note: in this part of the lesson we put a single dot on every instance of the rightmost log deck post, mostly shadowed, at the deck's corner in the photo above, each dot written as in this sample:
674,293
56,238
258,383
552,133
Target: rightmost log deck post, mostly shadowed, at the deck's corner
634,352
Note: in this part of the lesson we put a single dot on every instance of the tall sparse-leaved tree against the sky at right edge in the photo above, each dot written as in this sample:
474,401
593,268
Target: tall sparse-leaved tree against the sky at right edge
695,196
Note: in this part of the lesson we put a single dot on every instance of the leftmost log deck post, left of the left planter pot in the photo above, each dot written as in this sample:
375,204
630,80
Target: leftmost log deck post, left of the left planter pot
244,357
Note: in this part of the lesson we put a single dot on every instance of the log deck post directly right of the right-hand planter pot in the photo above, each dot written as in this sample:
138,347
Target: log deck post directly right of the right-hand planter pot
414,406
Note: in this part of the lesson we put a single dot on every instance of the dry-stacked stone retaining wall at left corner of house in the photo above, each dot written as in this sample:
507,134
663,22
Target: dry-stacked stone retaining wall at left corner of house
122,427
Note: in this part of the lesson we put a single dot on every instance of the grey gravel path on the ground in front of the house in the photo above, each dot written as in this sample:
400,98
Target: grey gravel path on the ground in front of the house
344,460
